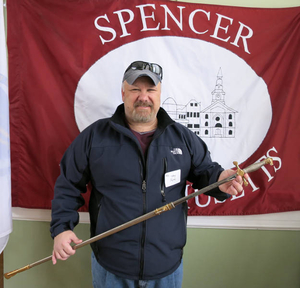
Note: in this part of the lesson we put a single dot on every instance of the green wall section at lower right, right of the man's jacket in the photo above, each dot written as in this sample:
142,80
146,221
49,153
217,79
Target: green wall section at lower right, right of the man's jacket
242,259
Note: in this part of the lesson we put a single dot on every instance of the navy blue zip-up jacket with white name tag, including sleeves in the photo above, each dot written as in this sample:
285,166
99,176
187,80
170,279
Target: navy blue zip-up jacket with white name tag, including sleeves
125,186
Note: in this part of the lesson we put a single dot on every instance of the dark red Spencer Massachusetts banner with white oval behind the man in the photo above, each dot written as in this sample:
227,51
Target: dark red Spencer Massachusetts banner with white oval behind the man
231,75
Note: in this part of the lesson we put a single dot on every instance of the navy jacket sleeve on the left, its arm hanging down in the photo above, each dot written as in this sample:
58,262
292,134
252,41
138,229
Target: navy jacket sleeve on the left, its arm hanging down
72,181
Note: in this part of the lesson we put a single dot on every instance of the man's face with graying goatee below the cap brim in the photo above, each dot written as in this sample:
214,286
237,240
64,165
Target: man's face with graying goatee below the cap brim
141,100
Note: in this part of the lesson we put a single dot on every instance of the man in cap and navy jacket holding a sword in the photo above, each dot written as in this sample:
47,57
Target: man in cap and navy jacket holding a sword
136,161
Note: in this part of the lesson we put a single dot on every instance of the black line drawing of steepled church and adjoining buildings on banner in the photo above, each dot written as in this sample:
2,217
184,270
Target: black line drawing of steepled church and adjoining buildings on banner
215,121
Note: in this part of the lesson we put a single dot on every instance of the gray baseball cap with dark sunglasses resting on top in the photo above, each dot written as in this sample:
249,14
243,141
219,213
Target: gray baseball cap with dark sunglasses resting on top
139,68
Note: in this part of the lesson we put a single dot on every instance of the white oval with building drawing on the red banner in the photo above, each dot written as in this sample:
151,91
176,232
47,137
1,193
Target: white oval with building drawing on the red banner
207,88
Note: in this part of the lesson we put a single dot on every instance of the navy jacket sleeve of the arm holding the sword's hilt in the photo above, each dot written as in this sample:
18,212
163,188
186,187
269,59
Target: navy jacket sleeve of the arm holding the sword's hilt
204,171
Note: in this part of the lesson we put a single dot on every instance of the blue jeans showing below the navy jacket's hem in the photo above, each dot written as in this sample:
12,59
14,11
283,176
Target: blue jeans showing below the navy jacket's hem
104,279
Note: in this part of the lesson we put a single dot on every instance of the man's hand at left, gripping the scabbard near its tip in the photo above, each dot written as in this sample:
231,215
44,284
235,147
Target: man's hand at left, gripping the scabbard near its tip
62,248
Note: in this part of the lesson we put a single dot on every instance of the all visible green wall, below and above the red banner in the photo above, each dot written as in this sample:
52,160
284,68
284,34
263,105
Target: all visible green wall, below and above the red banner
213,258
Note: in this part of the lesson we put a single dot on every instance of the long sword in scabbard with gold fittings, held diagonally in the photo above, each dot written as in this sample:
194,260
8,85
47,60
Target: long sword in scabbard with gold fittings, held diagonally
158,211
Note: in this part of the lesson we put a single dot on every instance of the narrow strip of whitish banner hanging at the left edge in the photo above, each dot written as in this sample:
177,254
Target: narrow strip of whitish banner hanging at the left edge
5,191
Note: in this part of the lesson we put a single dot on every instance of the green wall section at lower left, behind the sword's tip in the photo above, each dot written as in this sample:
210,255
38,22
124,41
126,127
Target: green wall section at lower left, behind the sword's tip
29,242
